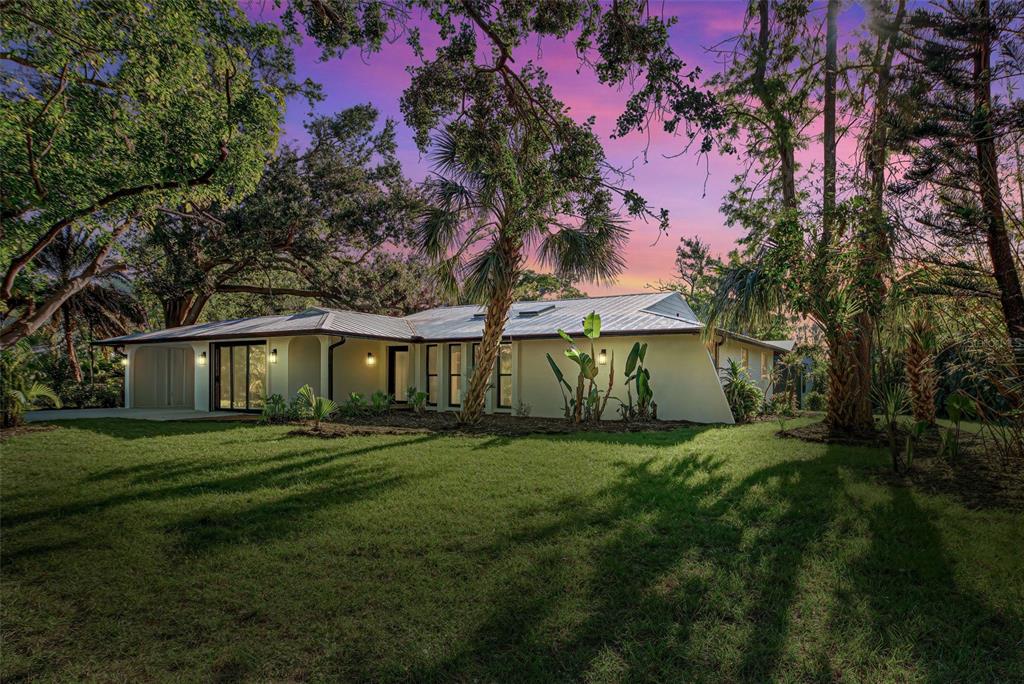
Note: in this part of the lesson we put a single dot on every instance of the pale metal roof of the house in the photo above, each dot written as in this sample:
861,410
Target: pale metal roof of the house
621,315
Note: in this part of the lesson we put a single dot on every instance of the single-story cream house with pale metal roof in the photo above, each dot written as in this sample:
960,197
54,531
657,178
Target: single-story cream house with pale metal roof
235,365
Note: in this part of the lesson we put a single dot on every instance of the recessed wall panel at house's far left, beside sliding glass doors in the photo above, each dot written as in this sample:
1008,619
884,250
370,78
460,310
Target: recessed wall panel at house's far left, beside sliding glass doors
161,377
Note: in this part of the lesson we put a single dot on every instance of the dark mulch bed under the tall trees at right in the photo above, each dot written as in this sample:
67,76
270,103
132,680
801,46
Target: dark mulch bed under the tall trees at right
977,478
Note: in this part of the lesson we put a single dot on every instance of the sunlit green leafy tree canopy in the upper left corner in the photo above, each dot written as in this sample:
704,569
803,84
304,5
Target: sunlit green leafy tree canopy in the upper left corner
114,111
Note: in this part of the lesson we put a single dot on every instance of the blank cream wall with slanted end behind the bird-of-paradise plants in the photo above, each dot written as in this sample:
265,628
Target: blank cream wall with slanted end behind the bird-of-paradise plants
687,387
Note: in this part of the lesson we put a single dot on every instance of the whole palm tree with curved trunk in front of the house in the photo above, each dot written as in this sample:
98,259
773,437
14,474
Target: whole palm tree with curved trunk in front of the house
502,194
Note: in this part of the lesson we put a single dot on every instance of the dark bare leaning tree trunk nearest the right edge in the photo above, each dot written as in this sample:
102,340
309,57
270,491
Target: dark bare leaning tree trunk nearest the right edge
997,238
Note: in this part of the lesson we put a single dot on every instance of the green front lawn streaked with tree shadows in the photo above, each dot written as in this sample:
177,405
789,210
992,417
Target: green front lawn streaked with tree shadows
232,552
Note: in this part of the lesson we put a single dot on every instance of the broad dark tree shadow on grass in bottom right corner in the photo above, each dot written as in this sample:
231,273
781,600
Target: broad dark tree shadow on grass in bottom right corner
916,610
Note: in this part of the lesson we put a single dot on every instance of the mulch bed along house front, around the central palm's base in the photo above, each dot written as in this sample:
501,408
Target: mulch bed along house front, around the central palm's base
407,422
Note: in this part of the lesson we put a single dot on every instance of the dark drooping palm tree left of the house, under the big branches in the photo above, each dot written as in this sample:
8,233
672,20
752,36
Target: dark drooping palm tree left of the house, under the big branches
106,307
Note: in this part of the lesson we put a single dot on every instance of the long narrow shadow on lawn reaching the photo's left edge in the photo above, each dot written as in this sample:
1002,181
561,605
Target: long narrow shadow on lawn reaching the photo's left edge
286,471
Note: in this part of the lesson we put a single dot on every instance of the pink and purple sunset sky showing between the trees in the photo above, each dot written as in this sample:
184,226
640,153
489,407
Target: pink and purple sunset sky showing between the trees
676,184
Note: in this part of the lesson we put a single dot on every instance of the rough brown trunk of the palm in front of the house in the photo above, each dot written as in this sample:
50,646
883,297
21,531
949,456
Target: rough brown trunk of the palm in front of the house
499,307
